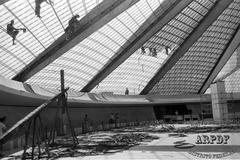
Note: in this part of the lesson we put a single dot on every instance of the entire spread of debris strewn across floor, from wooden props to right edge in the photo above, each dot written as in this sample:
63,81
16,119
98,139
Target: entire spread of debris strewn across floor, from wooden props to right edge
117,140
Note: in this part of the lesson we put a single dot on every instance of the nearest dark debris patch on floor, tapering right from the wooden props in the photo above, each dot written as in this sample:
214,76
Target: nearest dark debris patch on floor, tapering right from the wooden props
95,144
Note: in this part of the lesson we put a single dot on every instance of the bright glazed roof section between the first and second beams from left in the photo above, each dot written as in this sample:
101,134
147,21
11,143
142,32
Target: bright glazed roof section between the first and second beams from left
86,59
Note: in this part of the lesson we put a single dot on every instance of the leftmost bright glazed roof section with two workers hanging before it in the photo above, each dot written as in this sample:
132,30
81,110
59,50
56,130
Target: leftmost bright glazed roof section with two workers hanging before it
40,32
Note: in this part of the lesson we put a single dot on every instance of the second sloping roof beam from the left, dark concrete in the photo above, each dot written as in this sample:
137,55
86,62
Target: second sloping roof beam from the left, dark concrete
137,40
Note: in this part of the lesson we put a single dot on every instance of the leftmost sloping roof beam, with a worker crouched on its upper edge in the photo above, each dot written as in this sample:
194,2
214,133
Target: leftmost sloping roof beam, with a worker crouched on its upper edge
94,20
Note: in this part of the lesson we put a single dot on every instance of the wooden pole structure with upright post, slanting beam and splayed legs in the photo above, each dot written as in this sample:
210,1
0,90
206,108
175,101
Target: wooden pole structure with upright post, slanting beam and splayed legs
35,130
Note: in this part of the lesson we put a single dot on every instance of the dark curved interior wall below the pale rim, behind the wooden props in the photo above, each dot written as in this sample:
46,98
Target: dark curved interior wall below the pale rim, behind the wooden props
97,114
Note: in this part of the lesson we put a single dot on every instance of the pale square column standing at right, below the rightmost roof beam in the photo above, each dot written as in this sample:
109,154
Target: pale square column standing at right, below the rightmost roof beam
219,102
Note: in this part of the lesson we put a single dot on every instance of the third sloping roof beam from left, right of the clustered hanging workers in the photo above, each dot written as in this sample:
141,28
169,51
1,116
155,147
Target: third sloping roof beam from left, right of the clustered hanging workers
203,25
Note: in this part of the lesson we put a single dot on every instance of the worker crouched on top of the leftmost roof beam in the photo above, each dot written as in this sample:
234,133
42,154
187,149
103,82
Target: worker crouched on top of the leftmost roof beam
72,26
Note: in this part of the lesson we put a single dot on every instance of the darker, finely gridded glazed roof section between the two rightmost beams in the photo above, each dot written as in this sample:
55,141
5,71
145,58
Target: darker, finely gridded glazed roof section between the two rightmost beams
189,73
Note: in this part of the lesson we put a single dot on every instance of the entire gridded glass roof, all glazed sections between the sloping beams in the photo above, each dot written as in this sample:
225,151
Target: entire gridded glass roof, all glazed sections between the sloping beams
85,60
